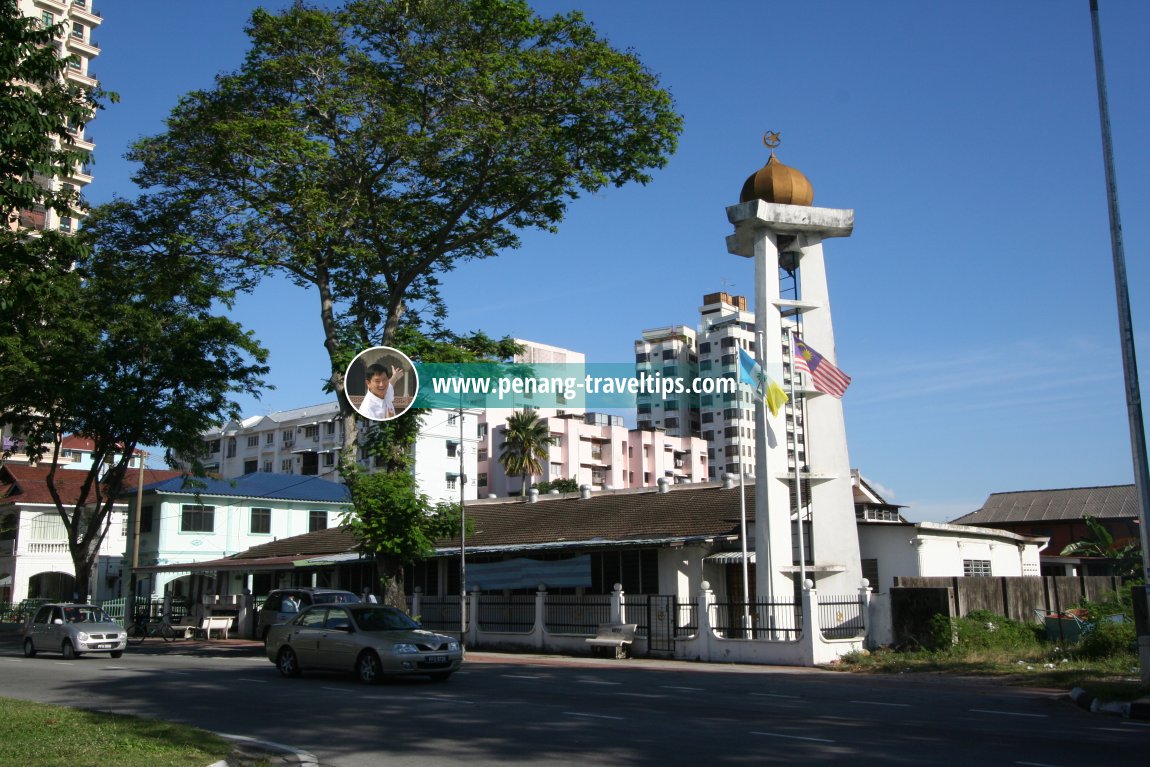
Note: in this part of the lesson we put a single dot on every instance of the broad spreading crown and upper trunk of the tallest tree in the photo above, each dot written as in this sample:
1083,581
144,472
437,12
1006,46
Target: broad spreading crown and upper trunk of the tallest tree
365,151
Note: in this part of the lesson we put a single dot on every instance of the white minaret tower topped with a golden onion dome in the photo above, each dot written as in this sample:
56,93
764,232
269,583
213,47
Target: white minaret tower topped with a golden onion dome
777,226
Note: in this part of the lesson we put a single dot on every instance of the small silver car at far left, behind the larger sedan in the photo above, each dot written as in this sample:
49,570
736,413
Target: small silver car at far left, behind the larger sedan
73,631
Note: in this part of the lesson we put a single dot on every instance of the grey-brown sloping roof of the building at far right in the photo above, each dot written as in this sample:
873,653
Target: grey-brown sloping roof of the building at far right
1107,503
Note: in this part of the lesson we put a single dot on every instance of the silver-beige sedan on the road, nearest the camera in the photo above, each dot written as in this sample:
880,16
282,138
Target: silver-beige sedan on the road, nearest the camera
372,641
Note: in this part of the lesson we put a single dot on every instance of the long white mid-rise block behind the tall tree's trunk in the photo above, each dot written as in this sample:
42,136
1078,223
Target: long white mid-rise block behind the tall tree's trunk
306,441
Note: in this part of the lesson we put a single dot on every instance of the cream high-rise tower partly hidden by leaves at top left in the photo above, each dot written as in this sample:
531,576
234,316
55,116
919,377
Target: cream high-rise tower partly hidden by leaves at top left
78,45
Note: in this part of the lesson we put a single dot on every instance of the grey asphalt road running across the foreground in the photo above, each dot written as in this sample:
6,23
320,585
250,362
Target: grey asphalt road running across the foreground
530,710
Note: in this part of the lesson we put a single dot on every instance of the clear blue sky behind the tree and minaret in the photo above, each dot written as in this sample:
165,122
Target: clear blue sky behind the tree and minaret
975,304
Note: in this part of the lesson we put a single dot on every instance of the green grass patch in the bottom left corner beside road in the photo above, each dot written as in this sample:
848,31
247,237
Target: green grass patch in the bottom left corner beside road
39,735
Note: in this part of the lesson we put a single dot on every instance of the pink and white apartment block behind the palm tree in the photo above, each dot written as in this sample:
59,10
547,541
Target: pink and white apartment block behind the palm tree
596,450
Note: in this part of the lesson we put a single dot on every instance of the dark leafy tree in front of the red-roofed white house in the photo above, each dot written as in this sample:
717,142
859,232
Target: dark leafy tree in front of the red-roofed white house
128,350
